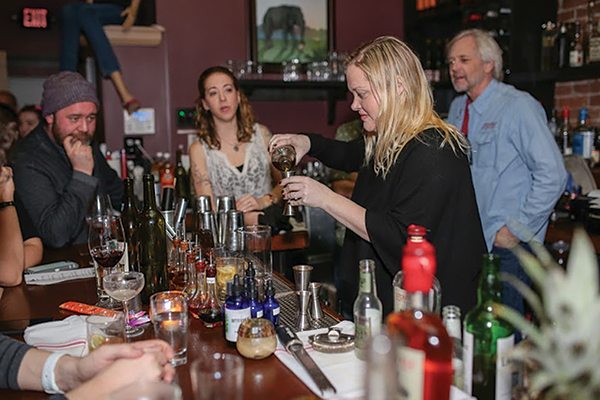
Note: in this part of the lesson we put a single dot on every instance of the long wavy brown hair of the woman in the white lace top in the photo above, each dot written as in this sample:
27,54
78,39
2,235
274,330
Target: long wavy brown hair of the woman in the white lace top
204,120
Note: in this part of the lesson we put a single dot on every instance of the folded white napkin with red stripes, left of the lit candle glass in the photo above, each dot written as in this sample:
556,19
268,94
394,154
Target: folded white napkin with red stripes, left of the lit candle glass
65,336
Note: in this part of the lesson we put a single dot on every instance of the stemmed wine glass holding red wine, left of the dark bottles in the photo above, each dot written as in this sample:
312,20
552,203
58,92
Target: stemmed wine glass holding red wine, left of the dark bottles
106,242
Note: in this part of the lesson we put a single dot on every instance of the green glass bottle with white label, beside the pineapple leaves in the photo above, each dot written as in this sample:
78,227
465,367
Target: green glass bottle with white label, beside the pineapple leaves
487,339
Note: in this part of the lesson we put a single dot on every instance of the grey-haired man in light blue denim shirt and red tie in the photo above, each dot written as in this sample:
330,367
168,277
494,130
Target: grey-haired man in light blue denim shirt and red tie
517,170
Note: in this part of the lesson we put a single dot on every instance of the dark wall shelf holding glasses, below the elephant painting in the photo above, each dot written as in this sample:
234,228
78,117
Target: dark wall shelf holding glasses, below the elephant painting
302,90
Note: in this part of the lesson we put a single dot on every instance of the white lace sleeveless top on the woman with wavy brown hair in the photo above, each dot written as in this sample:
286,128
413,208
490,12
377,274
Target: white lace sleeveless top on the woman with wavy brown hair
227,180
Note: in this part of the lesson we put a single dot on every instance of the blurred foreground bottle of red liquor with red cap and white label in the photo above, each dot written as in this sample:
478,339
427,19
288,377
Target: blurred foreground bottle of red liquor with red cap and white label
425,355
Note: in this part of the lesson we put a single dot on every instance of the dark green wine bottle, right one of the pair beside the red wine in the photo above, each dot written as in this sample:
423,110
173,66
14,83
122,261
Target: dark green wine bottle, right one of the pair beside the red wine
152,244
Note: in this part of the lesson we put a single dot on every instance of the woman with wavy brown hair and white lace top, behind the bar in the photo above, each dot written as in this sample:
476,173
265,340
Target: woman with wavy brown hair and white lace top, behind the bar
231,157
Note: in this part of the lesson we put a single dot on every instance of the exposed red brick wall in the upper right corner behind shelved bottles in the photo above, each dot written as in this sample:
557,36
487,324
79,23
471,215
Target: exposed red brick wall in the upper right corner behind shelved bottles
578,94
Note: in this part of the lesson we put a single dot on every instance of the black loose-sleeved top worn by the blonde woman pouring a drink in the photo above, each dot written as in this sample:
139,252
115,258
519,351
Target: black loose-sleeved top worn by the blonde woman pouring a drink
428,186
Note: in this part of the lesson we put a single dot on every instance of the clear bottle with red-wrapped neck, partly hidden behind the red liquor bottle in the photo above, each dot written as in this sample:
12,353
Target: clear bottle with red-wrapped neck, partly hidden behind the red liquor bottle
416,244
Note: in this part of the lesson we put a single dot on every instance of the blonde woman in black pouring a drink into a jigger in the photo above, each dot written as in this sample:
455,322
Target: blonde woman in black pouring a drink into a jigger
412,169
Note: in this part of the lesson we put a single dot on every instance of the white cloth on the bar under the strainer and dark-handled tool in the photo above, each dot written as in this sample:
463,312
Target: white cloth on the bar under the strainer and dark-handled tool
344,370
